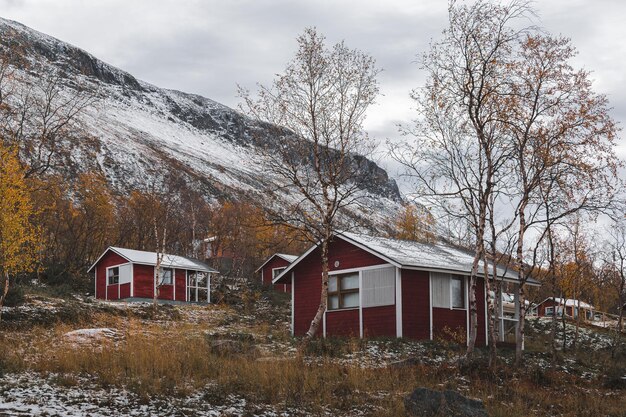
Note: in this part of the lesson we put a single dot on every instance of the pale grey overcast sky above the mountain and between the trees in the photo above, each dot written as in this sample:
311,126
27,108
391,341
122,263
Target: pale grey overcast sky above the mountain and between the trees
208,47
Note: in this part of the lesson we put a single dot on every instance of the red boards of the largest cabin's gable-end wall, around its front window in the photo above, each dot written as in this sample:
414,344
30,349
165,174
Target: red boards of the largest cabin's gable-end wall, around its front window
308,284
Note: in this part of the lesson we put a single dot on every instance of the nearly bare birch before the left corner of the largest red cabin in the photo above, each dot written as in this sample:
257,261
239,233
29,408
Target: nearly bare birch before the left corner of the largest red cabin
320,100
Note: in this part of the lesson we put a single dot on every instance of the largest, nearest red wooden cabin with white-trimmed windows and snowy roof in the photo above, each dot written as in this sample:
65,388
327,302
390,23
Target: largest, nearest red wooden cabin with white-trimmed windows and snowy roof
391,288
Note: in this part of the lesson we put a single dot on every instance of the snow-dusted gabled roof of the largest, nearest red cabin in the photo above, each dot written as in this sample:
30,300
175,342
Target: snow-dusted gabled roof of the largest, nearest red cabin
417,255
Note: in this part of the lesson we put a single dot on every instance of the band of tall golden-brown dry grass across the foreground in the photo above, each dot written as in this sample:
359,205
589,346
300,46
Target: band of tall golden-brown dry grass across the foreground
176,358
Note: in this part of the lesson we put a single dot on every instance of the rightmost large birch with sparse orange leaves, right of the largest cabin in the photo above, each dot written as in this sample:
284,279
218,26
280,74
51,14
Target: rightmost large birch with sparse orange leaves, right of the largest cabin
562,134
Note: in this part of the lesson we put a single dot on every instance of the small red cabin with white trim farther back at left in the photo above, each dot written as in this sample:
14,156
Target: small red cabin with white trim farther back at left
127,274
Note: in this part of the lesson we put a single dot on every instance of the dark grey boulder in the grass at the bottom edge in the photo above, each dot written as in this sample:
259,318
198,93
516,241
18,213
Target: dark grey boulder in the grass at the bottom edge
424,402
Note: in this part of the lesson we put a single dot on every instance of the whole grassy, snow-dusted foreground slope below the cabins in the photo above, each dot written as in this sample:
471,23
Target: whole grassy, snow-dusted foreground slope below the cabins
238,359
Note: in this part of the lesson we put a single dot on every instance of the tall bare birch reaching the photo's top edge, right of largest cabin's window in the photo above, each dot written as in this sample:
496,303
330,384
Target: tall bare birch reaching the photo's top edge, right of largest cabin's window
460,149
